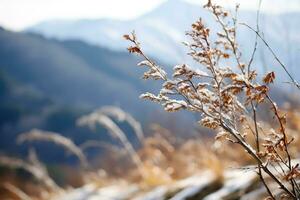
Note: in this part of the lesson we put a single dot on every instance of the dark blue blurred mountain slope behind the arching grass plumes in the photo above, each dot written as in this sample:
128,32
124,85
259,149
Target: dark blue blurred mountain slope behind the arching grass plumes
48,84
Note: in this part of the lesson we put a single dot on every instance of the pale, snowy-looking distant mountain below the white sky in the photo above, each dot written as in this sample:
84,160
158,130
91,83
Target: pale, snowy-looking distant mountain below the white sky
162,30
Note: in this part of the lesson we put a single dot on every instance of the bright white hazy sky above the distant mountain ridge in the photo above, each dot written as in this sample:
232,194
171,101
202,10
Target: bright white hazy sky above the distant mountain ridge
17,14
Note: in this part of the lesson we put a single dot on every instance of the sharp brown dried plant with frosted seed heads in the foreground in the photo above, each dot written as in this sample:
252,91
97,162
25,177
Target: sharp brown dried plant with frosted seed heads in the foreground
228,98
